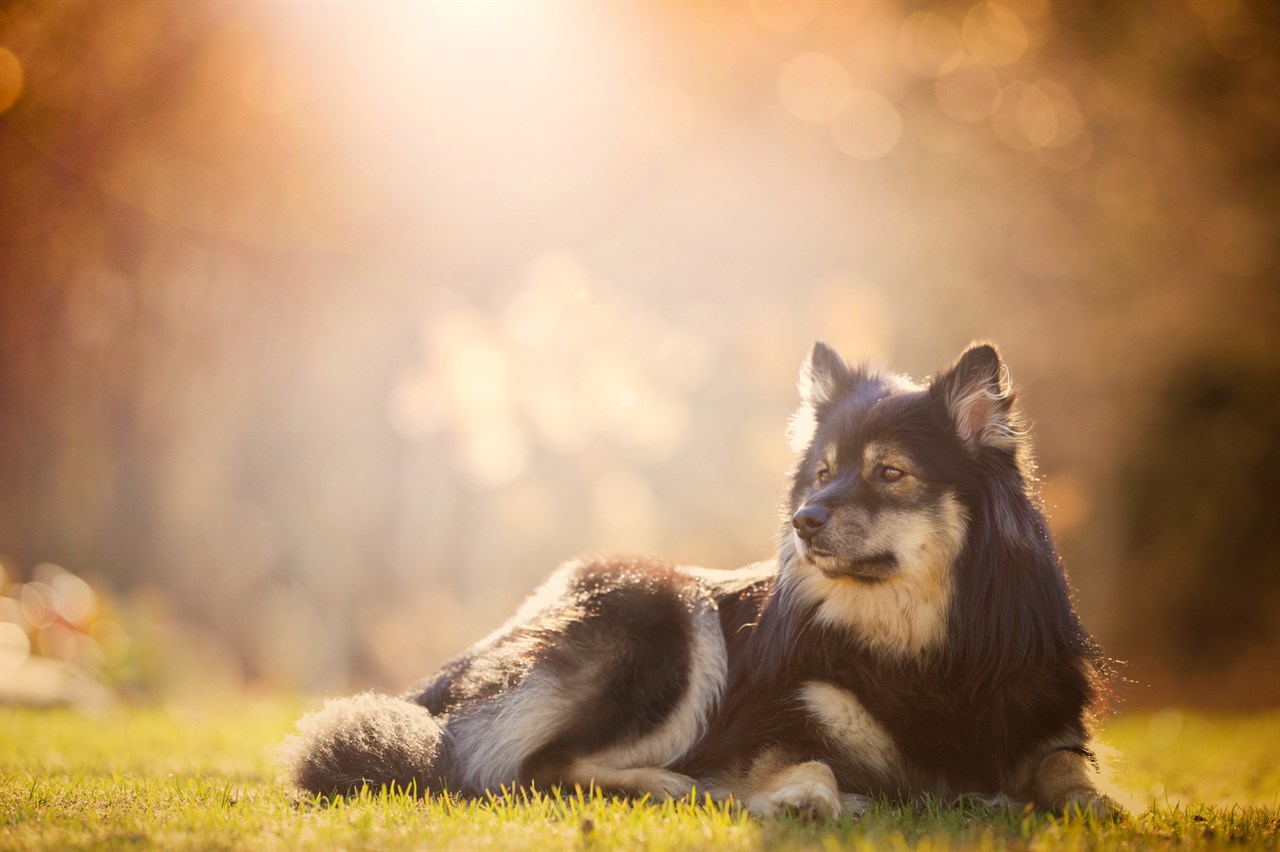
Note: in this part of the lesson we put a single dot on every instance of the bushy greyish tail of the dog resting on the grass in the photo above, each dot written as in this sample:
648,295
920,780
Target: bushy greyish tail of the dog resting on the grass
368,739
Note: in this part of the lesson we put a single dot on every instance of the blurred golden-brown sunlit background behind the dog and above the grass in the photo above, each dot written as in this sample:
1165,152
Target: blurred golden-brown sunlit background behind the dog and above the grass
327,329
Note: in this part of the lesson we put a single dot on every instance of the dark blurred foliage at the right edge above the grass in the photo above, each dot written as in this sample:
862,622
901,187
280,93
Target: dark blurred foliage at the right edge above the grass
1204,538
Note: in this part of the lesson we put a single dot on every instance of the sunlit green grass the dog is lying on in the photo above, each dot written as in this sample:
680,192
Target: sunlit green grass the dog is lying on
184,781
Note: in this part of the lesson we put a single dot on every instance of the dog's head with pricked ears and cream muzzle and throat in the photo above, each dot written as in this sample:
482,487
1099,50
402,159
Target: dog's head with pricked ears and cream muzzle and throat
884,492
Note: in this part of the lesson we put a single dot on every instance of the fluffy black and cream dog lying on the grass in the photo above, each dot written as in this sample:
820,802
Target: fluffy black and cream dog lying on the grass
913,638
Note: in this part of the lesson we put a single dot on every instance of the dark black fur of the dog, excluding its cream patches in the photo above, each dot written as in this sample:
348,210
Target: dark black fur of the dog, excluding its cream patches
618,647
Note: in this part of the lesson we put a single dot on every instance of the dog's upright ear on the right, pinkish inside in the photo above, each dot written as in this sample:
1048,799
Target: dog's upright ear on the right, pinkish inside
980,400
